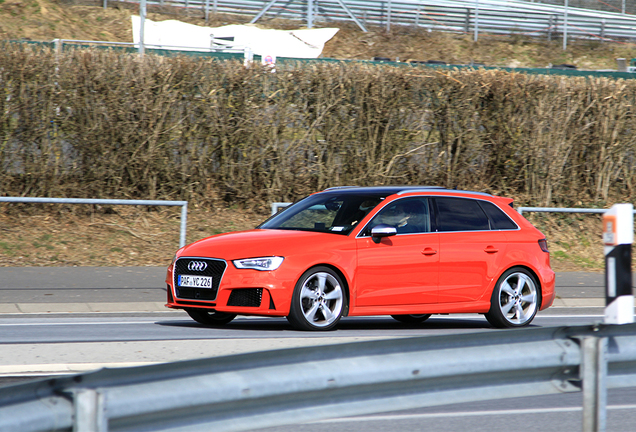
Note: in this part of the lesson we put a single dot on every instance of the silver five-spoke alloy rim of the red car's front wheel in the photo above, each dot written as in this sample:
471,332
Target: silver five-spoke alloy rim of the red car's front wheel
321,299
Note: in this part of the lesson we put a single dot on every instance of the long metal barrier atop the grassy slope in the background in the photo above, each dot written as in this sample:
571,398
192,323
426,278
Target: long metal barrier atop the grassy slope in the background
498,17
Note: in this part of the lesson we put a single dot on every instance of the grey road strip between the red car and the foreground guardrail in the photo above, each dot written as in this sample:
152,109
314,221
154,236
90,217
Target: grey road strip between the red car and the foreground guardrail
40,345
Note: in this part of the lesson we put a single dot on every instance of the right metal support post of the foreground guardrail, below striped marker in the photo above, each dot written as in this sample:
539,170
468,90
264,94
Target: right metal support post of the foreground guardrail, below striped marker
593,374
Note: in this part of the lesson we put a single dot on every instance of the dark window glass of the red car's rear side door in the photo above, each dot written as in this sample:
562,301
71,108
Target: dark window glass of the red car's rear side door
460,214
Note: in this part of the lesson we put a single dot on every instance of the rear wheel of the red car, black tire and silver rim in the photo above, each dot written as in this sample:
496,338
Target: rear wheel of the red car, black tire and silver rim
515,299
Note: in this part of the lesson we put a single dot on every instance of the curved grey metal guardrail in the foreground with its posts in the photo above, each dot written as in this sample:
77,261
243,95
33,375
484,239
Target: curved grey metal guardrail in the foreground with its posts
274,388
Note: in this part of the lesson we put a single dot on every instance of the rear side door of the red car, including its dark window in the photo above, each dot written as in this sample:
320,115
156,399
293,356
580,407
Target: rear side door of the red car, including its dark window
470,252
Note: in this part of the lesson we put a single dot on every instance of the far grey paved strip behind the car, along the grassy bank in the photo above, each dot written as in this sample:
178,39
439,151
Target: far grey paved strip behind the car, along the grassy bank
93,289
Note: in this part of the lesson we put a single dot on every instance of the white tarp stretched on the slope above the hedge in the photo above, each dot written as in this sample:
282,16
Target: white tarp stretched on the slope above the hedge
305,43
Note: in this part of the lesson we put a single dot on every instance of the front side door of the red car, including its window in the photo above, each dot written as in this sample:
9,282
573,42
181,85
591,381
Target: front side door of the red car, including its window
401,269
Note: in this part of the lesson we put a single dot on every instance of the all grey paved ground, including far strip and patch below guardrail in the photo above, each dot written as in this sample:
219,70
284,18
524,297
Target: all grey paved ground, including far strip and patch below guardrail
48,325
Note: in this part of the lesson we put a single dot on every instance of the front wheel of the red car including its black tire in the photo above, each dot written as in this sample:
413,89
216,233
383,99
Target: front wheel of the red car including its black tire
319,300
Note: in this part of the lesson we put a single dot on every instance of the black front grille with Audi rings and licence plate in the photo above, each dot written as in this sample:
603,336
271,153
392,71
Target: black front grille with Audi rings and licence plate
215,268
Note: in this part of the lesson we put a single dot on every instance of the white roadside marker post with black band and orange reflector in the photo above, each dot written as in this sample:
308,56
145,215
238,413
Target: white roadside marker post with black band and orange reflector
618,236
